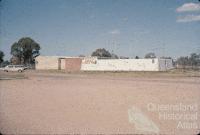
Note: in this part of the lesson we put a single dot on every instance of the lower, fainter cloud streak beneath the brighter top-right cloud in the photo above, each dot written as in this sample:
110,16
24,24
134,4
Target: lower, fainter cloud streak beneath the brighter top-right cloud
188,18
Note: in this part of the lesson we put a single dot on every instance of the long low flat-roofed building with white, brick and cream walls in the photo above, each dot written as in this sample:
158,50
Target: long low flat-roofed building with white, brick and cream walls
95,64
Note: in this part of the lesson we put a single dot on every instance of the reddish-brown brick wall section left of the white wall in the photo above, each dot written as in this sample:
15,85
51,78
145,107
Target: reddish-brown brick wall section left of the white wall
73,64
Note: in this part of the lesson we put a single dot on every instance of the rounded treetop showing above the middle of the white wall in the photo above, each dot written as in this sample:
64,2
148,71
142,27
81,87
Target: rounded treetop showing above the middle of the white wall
101,52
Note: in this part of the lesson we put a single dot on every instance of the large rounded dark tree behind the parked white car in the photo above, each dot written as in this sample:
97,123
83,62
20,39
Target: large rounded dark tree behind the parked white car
25,50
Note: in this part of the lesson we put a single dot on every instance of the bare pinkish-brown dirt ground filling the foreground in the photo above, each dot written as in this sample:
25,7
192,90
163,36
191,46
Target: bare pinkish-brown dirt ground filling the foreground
99,103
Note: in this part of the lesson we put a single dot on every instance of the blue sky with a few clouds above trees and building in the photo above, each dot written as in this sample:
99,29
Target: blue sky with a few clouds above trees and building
125,27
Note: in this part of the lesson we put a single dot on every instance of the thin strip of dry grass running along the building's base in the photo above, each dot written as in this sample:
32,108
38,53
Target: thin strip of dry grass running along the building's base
170,73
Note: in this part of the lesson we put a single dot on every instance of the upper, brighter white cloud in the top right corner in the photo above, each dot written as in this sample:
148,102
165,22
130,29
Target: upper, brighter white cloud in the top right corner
188,7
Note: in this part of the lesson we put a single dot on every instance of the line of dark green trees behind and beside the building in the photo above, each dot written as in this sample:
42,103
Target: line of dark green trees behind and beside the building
25,50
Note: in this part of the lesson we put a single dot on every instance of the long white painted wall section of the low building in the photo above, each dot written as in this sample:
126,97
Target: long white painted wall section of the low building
121,65
